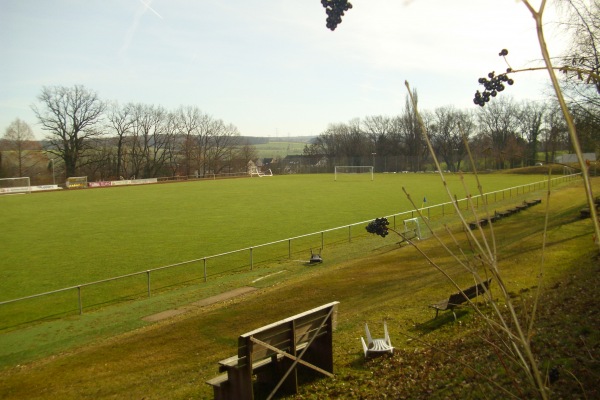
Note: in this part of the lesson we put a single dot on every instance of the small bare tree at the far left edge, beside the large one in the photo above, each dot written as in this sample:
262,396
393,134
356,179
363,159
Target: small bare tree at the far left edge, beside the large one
19,145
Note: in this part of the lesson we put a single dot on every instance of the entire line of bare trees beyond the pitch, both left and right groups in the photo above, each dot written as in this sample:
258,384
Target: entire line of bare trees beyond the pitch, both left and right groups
89,137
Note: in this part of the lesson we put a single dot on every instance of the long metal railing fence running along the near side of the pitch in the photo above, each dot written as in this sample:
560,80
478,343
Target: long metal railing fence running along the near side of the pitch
70,300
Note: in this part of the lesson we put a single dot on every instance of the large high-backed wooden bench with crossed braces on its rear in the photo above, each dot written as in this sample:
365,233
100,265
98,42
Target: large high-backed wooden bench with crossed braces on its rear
277,353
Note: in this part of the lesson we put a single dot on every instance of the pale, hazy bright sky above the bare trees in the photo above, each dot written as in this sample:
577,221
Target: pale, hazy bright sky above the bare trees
269,67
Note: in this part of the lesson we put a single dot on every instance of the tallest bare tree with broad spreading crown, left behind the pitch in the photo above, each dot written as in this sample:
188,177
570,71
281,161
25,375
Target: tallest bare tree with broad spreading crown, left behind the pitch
71,116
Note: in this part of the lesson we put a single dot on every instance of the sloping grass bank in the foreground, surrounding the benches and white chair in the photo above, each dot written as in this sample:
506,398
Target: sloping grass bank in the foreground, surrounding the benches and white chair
173,358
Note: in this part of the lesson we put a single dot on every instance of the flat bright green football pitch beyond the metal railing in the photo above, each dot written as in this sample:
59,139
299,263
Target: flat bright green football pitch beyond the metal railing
67,238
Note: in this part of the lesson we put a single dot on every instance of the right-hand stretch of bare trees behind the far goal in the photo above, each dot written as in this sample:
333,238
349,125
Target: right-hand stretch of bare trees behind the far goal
504,134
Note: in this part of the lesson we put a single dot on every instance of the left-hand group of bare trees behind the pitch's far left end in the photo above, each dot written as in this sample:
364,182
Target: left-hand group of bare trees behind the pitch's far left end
105,140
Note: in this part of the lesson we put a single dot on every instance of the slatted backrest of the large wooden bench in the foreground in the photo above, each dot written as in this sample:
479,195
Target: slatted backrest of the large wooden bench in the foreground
288,334
